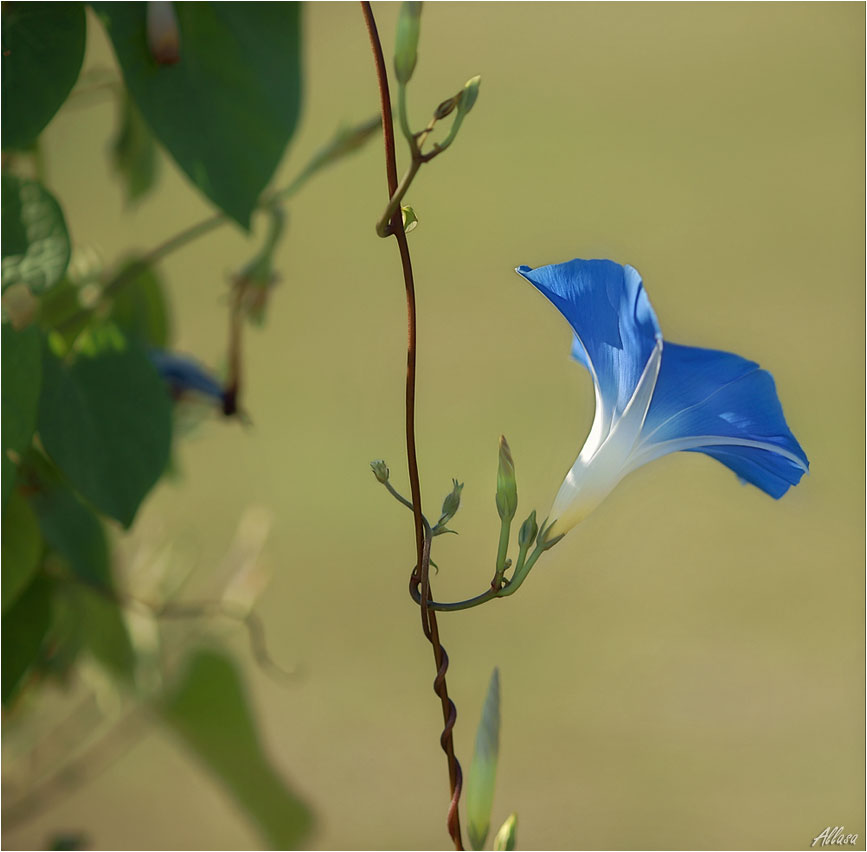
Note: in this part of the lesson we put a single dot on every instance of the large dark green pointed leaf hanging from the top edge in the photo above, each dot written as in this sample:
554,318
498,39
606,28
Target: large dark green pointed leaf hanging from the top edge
228,108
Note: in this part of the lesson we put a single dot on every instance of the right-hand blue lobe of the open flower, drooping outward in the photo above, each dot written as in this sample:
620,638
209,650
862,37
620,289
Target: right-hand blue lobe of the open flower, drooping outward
727,407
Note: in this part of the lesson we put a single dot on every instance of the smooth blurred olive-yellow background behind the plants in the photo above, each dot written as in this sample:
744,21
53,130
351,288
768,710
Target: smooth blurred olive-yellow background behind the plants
686,669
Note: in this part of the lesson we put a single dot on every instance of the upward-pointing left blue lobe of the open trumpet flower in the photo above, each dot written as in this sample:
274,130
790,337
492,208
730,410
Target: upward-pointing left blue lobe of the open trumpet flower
615,326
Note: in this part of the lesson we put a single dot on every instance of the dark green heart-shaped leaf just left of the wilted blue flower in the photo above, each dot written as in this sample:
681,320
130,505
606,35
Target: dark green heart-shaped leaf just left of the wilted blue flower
106,423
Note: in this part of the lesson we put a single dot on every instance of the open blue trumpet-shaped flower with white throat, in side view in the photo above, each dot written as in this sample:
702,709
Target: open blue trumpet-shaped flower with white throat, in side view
654,397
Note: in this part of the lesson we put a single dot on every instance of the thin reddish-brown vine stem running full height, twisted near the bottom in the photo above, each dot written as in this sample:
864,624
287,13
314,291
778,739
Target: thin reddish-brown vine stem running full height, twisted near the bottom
421,572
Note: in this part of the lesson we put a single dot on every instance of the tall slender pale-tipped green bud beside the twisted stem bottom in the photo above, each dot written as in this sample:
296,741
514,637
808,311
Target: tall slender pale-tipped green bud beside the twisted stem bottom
483,771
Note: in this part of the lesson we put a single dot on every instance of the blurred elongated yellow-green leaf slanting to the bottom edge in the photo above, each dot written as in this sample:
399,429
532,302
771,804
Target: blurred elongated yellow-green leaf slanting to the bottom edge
210,711
